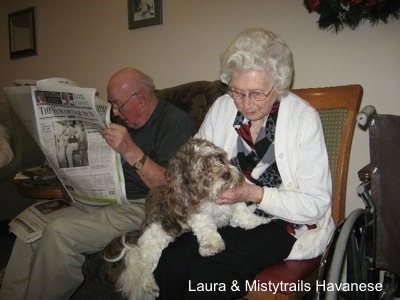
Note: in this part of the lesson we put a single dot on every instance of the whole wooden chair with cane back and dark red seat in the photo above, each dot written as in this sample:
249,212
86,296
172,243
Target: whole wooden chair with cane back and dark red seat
338,107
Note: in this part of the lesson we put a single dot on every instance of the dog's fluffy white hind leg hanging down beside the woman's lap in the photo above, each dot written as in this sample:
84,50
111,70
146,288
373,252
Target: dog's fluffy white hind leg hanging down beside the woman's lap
136,281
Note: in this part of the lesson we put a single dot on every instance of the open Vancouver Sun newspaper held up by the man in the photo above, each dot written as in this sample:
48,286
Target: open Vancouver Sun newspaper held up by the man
65,120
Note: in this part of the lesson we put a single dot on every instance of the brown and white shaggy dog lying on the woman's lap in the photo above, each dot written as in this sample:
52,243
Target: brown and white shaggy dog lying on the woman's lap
195,177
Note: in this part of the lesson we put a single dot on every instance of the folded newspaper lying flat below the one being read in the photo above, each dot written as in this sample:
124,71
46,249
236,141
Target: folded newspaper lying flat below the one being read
29,224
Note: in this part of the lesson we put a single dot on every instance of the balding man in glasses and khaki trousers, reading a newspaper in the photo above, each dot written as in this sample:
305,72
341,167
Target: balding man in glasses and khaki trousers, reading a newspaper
51,268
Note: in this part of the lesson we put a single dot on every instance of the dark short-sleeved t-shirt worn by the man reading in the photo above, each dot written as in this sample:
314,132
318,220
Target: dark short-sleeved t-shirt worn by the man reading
167,129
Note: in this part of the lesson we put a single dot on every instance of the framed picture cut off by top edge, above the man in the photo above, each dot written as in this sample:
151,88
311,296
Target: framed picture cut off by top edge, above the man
143,13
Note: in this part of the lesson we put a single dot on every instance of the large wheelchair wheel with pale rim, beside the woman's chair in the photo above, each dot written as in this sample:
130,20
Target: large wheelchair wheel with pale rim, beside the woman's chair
348,265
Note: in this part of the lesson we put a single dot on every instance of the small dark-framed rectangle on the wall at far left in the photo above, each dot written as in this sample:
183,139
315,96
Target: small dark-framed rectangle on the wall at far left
21,33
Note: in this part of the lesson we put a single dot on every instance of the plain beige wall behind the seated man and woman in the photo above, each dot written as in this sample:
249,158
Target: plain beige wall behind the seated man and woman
86,41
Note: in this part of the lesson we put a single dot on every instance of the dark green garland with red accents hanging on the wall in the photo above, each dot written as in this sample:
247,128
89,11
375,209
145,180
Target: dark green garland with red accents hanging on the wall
335,15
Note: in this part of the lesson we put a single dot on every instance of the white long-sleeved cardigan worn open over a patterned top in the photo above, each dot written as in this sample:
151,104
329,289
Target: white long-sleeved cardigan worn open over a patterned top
304,197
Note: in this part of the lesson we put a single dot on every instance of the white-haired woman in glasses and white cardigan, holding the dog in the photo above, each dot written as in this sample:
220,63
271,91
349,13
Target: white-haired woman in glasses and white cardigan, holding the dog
276,140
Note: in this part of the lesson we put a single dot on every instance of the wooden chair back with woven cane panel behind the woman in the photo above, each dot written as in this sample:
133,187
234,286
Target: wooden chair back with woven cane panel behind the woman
338,107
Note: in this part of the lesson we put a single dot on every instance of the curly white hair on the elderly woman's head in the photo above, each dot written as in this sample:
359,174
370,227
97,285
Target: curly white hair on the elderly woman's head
259,49
